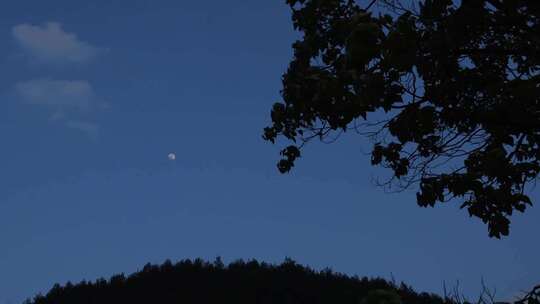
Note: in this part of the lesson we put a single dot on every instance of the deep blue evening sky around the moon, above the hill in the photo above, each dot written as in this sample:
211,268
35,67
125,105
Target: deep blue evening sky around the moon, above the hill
95,95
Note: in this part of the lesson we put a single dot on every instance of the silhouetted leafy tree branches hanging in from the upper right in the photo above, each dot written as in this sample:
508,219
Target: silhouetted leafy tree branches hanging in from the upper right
448,93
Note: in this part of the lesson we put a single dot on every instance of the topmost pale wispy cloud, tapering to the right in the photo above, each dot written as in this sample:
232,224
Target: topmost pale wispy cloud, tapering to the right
50,43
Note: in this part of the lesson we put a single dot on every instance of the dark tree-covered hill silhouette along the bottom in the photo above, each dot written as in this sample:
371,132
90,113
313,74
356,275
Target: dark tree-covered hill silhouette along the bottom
239,282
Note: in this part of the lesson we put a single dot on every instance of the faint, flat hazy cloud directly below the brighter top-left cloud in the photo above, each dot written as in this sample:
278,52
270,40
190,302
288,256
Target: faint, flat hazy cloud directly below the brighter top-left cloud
59,94
